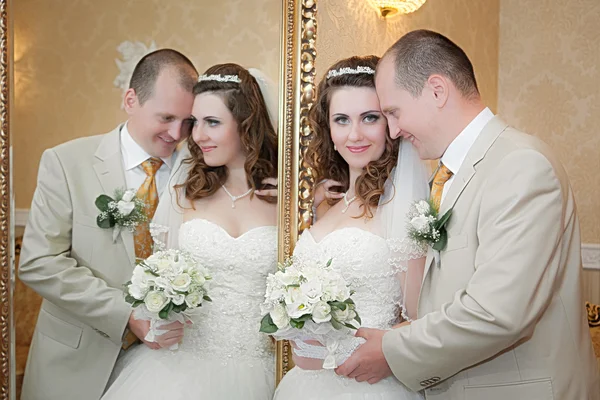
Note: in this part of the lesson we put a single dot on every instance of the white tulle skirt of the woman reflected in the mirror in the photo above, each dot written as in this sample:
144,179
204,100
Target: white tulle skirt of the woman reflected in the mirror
144,374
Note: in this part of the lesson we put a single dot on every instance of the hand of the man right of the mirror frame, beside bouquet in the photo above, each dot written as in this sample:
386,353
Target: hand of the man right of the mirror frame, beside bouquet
368,362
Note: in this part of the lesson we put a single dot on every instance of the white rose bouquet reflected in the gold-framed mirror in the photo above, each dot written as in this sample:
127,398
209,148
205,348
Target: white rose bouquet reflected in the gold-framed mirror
167,287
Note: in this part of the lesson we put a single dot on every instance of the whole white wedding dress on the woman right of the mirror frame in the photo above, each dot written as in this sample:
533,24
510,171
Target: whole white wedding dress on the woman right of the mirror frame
363,258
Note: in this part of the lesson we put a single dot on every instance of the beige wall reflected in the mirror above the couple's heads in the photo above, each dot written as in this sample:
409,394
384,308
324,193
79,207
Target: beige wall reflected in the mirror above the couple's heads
65,66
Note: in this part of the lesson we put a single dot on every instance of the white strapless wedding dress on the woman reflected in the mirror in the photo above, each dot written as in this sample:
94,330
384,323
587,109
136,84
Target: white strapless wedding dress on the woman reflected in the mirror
223,356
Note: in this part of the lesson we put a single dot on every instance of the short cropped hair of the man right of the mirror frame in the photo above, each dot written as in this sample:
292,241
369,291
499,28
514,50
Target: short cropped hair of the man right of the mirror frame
420,54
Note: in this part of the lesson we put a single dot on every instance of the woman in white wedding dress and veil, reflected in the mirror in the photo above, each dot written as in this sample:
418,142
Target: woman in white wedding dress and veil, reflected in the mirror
215,211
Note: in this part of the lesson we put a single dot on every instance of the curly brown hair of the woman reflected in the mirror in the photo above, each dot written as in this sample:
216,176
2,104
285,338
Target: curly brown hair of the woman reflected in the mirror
257,134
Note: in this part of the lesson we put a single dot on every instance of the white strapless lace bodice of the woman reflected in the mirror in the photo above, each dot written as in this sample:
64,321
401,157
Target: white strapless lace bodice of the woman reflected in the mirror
228,327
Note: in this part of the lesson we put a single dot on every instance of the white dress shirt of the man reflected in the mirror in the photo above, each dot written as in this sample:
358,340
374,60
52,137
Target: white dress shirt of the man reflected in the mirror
134,156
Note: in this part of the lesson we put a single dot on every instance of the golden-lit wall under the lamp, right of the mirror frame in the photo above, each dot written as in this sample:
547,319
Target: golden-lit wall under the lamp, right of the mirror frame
351,27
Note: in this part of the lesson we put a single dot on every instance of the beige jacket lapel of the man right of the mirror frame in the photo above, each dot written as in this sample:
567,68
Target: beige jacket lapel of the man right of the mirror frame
484,141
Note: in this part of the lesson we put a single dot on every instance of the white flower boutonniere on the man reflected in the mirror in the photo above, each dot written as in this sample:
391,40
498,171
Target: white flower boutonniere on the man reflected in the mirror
124,211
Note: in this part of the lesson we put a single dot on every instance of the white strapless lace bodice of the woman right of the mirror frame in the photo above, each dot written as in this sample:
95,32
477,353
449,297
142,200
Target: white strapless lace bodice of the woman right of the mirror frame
364,261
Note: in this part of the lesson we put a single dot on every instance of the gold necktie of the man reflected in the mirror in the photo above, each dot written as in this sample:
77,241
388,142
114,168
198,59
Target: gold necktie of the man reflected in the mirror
149,195
